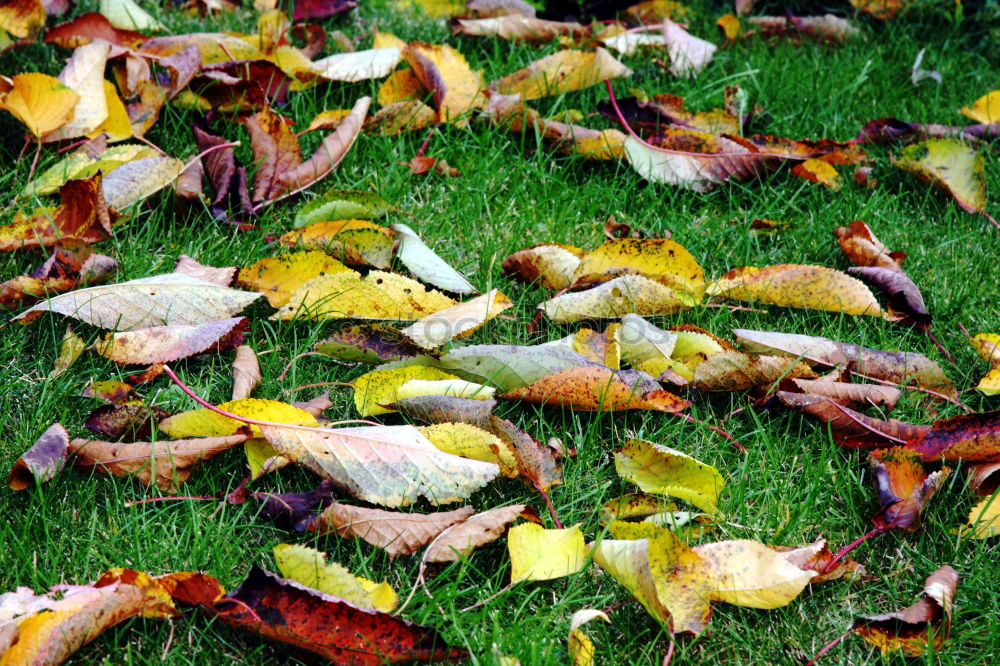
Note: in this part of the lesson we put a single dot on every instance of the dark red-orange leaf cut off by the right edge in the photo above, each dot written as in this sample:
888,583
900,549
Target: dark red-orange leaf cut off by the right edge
968,437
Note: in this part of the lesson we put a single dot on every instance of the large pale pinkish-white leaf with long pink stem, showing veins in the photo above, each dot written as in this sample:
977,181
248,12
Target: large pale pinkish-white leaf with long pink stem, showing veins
387,465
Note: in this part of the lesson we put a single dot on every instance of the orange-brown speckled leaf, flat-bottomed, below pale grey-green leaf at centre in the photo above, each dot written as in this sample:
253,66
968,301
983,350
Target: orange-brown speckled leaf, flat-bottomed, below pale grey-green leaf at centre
596,389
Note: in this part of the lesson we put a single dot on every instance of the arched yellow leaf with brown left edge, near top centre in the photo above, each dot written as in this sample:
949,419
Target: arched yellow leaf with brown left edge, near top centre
445,71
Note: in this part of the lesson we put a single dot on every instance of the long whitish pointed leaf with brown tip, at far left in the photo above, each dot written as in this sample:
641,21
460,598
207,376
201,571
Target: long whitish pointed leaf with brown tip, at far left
160,300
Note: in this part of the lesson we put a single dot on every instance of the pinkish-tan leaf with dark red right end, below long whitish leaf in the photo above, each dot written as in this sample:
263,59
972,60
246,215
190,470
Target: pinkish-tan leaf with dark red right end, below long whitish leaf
162,344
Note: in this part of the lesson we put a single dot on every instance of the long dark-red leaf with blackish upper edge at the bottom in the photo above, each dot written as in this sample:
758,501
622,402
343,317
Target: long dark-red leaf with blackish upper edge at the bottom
329,627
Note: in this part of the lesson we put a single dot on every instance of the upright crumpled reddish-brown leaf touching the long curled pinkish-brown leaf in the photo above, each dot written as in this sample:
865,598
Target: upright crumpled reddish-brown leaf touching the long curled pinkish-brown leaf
275,151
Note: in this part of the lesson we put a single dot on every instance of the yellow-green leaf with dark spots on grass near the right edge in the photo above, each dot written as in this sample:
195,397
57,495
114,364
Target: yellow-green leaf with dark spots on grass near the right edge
951,166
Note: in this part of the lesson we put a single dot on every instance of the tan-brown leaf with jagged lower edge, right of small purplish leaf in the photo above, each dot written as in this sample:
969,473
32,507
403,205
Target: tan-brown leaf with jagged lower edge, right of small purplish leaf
172,462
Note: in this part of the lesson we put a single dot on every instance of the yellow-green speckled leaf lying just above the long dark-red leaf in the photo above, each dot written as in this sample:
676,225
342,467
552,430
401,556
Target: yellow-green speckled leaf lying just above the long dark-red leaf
308,566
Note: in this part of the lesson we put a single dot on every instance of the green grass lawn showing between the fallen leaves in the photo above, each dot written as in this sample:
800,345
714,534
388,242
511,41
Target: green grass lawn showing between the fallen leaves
794,484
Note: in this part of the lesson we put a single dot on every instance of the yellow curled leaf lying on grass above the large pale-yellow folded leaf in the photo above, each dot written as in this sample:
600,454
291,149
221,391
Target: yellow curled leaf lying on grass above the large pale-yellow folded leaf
665,471
